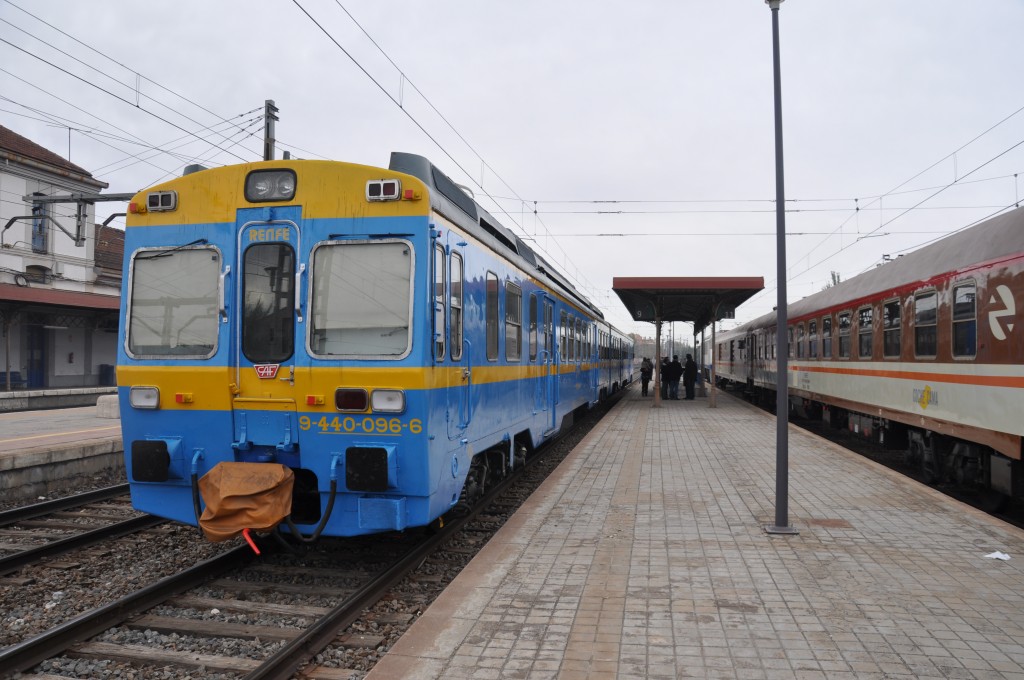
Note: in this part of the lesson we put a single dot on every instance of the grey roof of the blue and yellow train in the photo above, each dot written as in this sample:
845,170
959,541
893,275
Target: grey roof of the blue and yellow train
452,201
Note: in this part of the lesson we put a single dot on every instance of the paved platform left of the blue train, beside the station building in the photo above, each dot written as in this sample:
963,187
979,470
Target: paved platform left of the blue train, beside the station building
39,448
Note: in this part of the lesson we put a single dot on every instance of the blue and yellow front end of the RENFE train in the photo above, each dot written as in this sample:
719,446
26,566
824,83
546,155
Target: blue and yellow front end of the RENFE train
273,368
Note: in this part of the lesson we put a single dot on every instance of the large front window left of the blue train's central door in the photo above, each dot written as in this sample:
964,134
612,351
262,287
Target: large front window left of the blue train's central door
175,302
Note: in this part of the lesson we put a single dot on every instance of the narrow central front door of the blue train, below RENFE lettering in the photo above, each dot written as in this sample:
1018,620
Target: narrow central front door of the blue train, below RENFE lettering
269,314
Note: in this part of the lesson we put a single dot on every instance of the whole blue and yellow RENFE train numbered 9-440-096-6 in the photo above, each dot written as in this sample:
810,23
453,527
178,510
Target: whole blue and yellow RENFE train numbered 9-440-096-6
339,349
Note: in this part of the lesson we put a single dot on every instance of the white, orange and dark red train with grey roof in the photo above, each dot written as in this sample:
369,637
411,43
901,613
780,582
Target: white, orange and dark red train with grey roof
924,354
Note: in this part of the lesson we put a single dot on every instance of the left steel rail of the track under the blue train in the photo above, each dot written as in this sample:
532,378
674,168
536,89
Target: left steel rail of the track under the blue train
23,657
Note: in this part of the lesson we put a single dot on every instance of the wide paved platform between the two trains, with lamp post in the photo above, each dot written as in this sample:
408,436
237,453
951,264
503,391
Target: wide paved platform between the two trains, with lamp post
645,557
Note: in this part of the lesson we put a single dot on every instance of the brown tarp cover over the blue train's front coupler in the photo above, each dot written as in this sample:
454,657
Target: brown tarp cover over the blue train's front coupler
239,496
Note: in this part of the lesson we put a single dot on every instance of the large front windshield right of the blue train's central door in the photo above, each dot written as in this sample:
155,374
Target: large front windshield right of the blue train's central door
362,300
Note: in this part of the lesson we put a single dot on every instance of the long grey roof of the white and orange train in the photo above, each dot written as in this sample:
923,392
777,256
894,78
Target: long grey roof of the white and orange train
994,239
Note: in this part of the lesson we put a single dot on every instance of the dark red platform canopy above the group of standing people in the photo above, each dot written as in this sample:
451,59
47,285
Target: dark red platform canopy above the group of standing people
702,301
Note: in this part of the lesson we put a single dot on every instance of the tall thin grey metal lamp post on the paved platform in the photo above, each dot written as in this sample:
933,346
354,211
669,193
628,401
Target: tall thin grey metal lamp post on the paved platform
783,355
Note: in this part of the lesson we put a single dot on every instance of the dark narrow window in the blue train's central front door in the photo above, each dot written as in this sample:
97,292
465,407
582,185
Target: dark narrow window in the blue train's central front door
269,303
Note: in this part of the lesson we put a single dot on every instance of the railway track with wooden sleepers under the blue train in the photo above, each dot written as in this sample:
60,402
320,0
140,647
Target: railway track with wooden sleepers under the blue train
329,610
